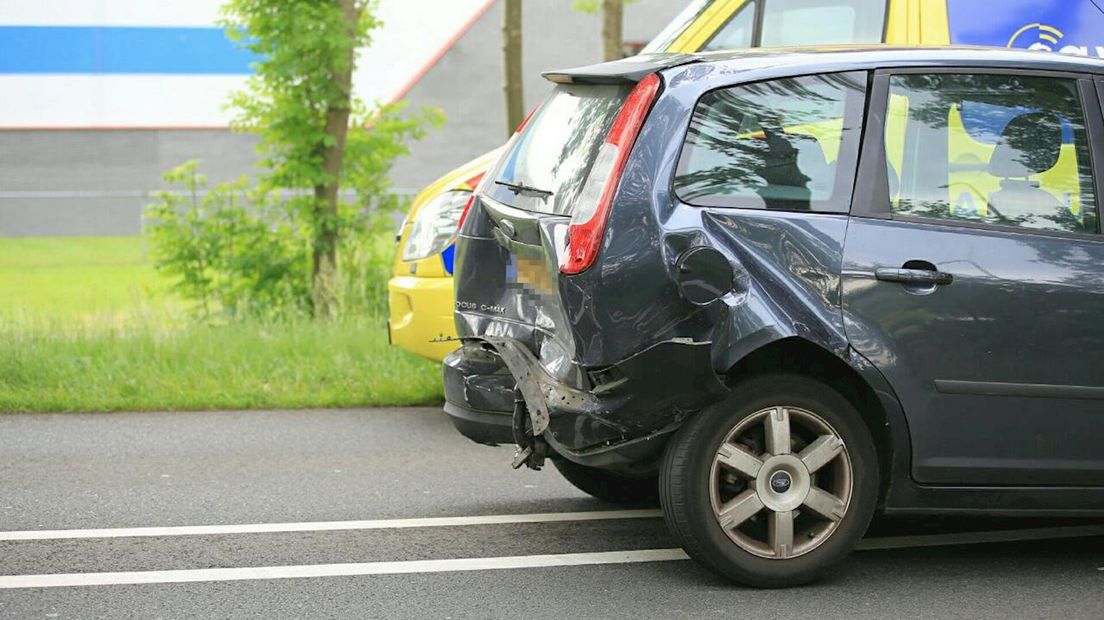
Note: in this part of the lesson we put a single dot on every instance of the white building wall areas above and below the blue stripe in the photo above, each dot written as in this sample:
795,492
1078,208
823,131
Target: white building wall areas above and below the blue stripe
415,35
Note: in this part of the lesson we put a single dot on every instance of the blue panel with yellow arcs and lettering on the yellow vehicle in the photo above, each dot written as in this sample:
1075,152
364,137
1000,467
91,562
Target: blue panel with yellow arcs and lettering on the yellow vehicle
1070,27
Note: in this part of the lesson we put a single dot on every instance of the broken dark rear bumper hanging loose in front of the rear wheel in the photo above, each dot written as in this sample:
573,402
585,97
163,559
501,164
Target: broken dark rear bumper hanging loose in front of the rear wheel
624,420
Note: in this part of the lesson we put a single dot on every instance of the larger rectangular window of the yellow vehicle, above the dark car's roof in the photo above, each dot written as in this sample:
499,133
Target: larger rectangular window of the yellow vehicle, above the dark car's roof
806,23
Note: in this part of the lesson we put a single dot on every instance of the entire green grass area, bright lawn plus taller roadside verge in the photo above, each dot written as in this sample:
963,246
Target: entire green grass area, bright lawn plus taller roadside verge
87,325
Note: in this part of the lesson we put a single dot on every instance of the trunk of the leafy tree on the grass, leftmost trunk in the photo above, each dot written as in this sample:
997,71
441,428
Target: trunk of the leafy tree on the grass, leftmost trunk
325,265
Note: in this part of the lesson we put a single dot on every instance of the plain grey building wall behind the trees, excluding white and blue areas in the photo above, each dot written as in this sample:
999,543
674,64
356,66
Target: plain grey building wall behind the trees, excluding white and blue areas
82,181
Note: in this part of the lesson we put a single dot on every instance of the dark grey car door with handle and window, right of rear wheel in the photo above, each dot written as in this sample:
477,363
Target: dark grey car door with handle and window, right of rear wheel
974,272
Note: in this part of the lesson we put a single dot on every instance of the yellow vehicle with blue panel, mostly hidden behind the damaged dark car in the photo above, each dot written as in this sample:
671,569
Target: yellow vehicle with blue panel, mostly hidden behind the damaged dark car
421,290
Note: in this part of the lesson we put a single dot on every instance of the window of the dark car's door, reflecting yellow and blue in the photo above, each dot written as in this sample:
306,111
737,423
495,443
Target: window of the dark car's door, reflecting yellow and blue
1000,149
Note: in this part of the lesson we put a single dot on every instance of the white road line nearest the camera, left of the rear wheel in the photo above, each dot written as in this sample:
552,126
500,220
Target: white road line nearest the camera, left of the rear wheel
337,570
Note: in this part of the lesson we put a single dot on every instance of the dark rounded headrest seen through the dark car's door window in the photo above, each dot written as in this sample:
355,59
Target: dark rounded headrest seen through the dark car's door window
1029,145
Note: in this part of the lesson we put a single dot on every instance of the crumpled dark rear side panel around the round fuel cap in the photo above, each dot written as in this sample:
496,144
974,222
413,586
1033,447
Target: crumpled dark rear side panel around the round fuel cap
787,265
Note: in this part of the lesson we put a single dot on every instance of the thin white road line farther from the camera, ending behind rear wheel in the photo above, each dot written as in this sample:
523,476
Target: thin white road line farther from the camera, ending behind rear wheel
326,526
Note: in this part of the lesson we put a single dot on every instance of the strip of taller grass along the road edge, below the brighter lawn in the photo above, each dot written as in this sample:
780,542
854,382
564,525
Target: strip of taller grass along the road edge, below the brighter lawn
238,367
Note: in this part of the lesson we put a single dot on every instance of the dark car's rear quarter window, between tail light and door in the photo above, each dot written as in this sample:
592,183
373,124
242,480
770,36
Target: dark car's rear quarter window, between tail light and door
787,144
